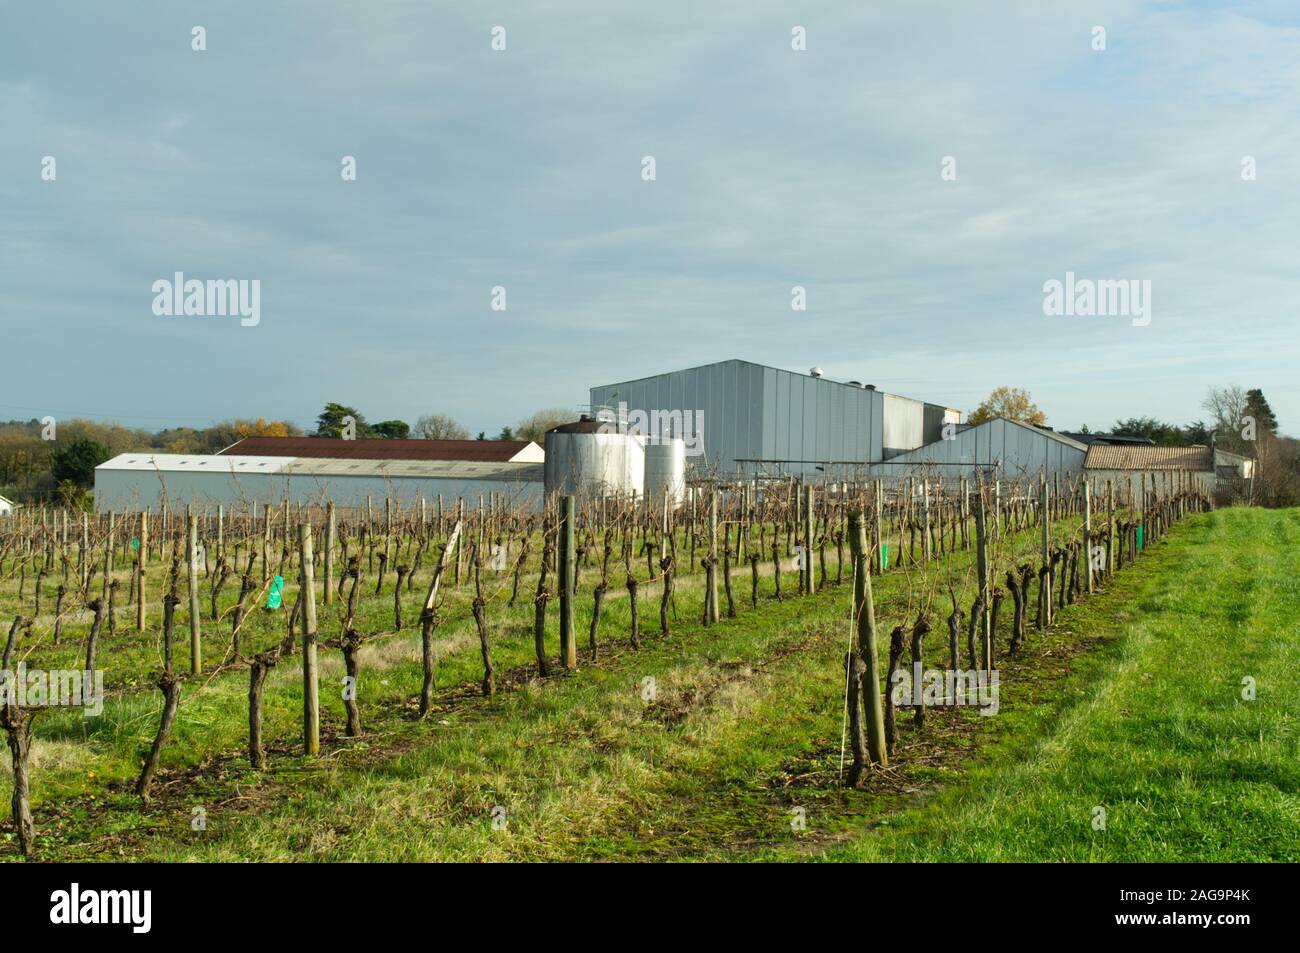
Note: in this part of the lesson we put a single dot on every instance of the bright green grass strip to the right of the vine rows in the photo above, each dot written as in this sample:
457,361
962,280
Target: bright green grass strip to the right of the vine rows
1163,740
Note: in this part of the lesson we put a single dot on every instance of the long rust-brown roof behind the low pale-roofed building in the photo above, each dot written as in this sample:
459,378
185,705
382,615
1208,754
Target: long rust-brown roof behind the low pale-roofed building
380,449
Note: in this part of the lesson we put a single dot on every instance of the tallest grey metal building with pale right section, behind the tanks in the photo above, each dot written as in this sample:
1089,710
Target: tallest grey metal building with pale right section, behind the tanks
755,419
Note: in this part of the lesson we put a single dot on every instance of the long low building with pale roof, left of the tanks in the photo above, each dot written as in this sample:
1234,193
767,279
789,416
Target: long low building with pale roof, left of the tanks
145,480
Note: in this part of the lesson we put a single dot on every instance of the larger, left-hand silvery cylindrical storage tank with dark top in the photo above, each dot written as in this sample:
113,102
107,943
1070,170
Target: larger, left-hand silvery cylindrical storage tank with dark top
593,457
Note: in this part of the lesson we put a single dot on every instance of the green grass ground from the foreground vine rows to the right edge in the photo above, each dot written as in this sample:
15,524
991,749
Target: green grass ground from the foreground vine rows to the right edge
1132,703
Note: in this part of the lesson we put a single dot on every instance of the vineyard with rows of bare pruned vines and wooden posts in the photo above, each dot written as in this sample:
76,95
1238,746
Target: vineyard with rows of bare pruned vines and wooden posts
599,679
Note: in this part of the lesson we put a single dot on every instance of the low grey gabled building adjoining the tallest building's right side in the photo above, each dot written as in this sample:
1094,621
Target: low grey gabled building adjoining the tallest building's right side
1003,449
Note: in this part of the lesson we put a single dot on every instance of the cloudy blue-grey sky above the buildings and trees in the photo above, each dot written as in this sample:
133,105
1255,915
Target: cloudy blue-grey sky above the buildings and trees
523,170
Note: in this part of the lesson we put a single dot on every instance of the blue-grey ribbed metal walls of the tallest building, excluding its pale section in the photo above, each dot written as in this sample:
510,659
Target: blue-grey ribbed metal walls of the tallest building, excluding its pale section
755,413
